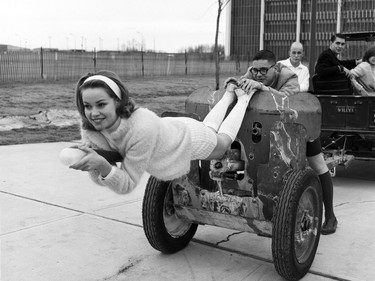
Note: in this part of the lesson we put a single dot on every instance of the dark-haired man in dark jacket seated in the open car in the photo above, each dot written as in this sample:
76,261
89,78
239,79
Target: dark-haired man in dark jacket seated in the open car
329,66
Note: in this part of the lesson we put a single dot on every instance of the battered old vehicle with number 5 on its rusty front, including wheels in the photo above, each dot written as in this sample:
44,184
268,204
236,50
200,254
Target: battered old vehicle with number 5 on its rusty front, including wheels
262,185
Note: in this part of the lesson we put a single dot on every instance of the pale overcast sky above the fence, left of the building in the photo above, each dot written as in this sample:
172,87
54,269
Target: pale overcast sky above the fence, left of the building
165,25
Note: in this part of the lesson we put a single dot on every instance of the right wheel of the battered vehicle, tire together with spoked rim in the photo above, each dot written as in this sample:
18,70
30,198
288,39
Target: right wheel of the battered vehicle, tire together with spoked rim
296,224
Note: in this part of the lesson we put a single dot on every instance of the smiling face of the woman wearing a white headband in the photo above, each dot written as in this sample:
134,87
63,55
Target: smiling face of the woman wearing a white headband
100,109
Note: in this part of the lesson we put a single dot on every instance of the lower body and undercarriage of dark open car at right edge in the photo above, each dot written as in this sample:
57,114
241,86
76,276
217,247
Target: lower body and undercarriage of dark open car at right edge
348,125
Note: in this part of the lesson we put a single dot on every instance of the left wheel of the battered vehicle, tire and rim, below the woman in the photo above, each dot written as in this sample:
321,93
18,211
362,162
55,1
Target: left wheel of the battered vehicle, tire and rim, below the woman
165,231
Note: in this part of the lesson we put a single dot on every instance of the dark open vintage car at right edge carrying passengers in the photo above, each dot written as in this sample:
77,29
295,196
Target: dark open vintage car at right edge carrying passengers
348,119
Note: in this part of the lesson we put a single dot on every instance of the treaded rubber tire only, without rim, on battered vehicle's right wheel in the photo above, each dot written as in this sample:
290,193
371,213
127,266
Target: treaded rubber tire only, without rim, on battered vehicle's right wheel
284,224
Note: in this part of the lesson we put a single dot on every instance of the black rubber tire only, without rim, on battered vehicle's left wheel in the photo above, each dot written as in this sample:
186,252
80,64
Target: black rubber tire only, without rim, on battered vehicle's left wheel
154,200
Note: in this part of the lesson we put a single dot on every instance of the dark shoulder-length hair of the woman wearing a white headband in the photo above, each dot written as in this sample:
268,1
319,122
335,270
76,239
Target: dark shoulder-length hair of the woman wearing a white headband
125,106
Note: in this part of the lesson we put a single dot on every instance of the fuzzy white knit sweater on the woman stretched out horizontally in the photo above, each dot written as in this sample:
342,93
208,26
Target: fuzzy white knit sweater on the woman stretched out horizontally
160,146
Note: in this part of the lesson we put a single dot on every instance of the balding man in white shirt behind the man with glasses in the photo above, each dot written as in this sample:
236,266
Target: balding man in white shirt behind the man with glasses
295,65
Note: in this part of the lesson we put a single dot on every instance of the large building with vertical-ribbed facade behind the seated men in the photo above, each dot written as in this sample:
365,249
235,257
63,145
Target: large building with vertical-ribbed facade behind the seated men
286,21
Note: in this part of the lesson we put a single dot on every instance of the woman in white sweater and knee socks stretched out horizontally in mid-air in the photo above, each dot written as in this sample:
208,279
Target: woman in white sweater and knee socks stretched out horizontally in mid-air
162,147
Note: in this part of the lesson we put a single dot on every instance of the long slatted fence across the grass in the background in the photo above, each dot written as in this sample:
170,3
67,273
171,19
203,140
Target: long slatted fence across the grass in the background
45,64
